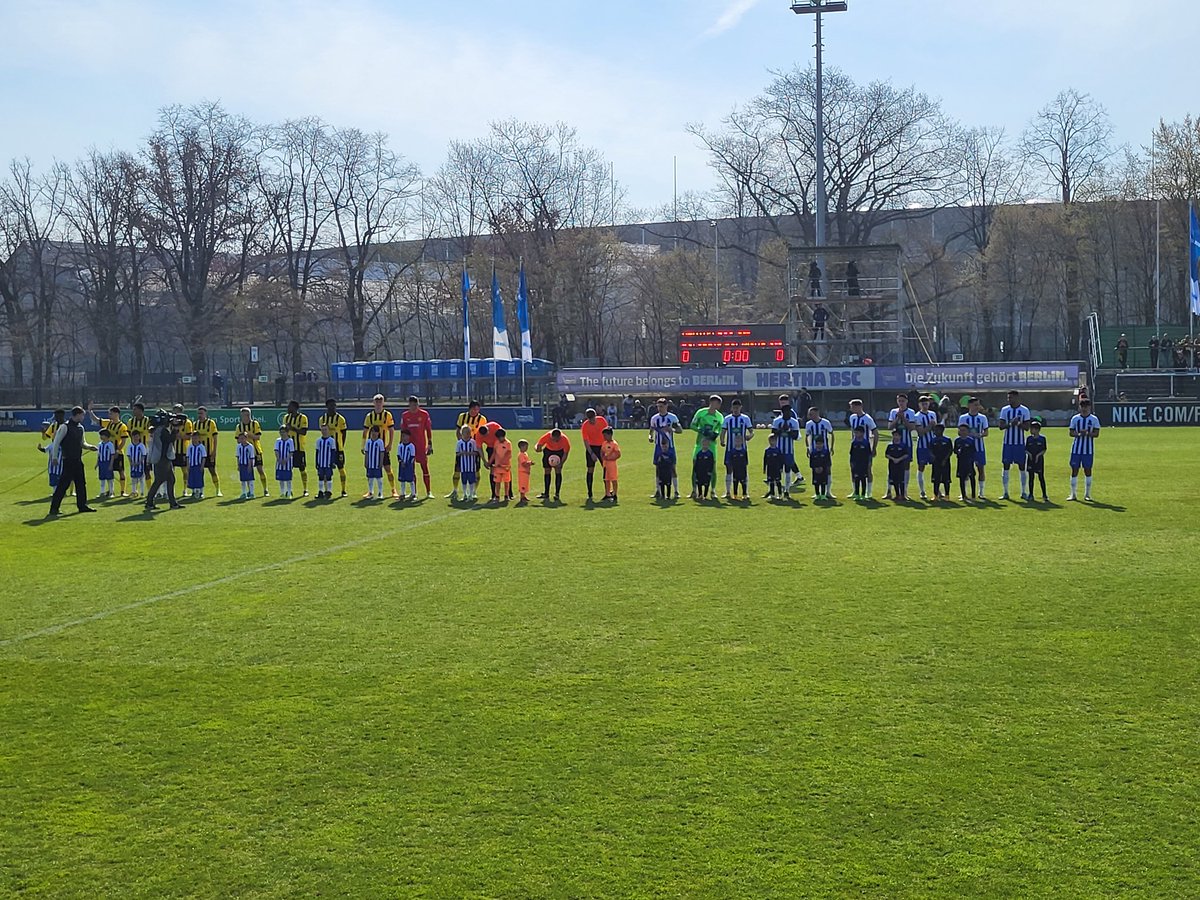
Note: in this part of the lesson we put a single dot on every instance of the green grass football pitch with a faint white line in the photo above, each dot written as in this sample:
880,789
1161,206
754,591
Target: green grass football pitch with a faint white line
321,699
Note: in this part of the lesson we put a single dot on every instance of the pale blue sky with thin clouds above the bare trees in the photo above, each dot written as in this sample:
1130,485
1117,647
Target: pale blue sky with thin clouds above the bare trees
631,75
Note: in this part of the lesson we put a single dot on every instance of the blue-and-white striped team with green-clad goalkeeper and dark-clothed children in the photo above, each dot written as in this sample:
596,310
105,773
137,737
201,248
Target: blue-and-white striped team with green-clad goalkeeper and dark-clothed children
916,435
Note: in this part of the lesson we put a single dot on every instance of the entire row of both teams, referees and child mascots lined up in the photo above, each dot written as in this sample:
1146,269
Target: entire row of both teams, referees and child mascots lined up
477,442
